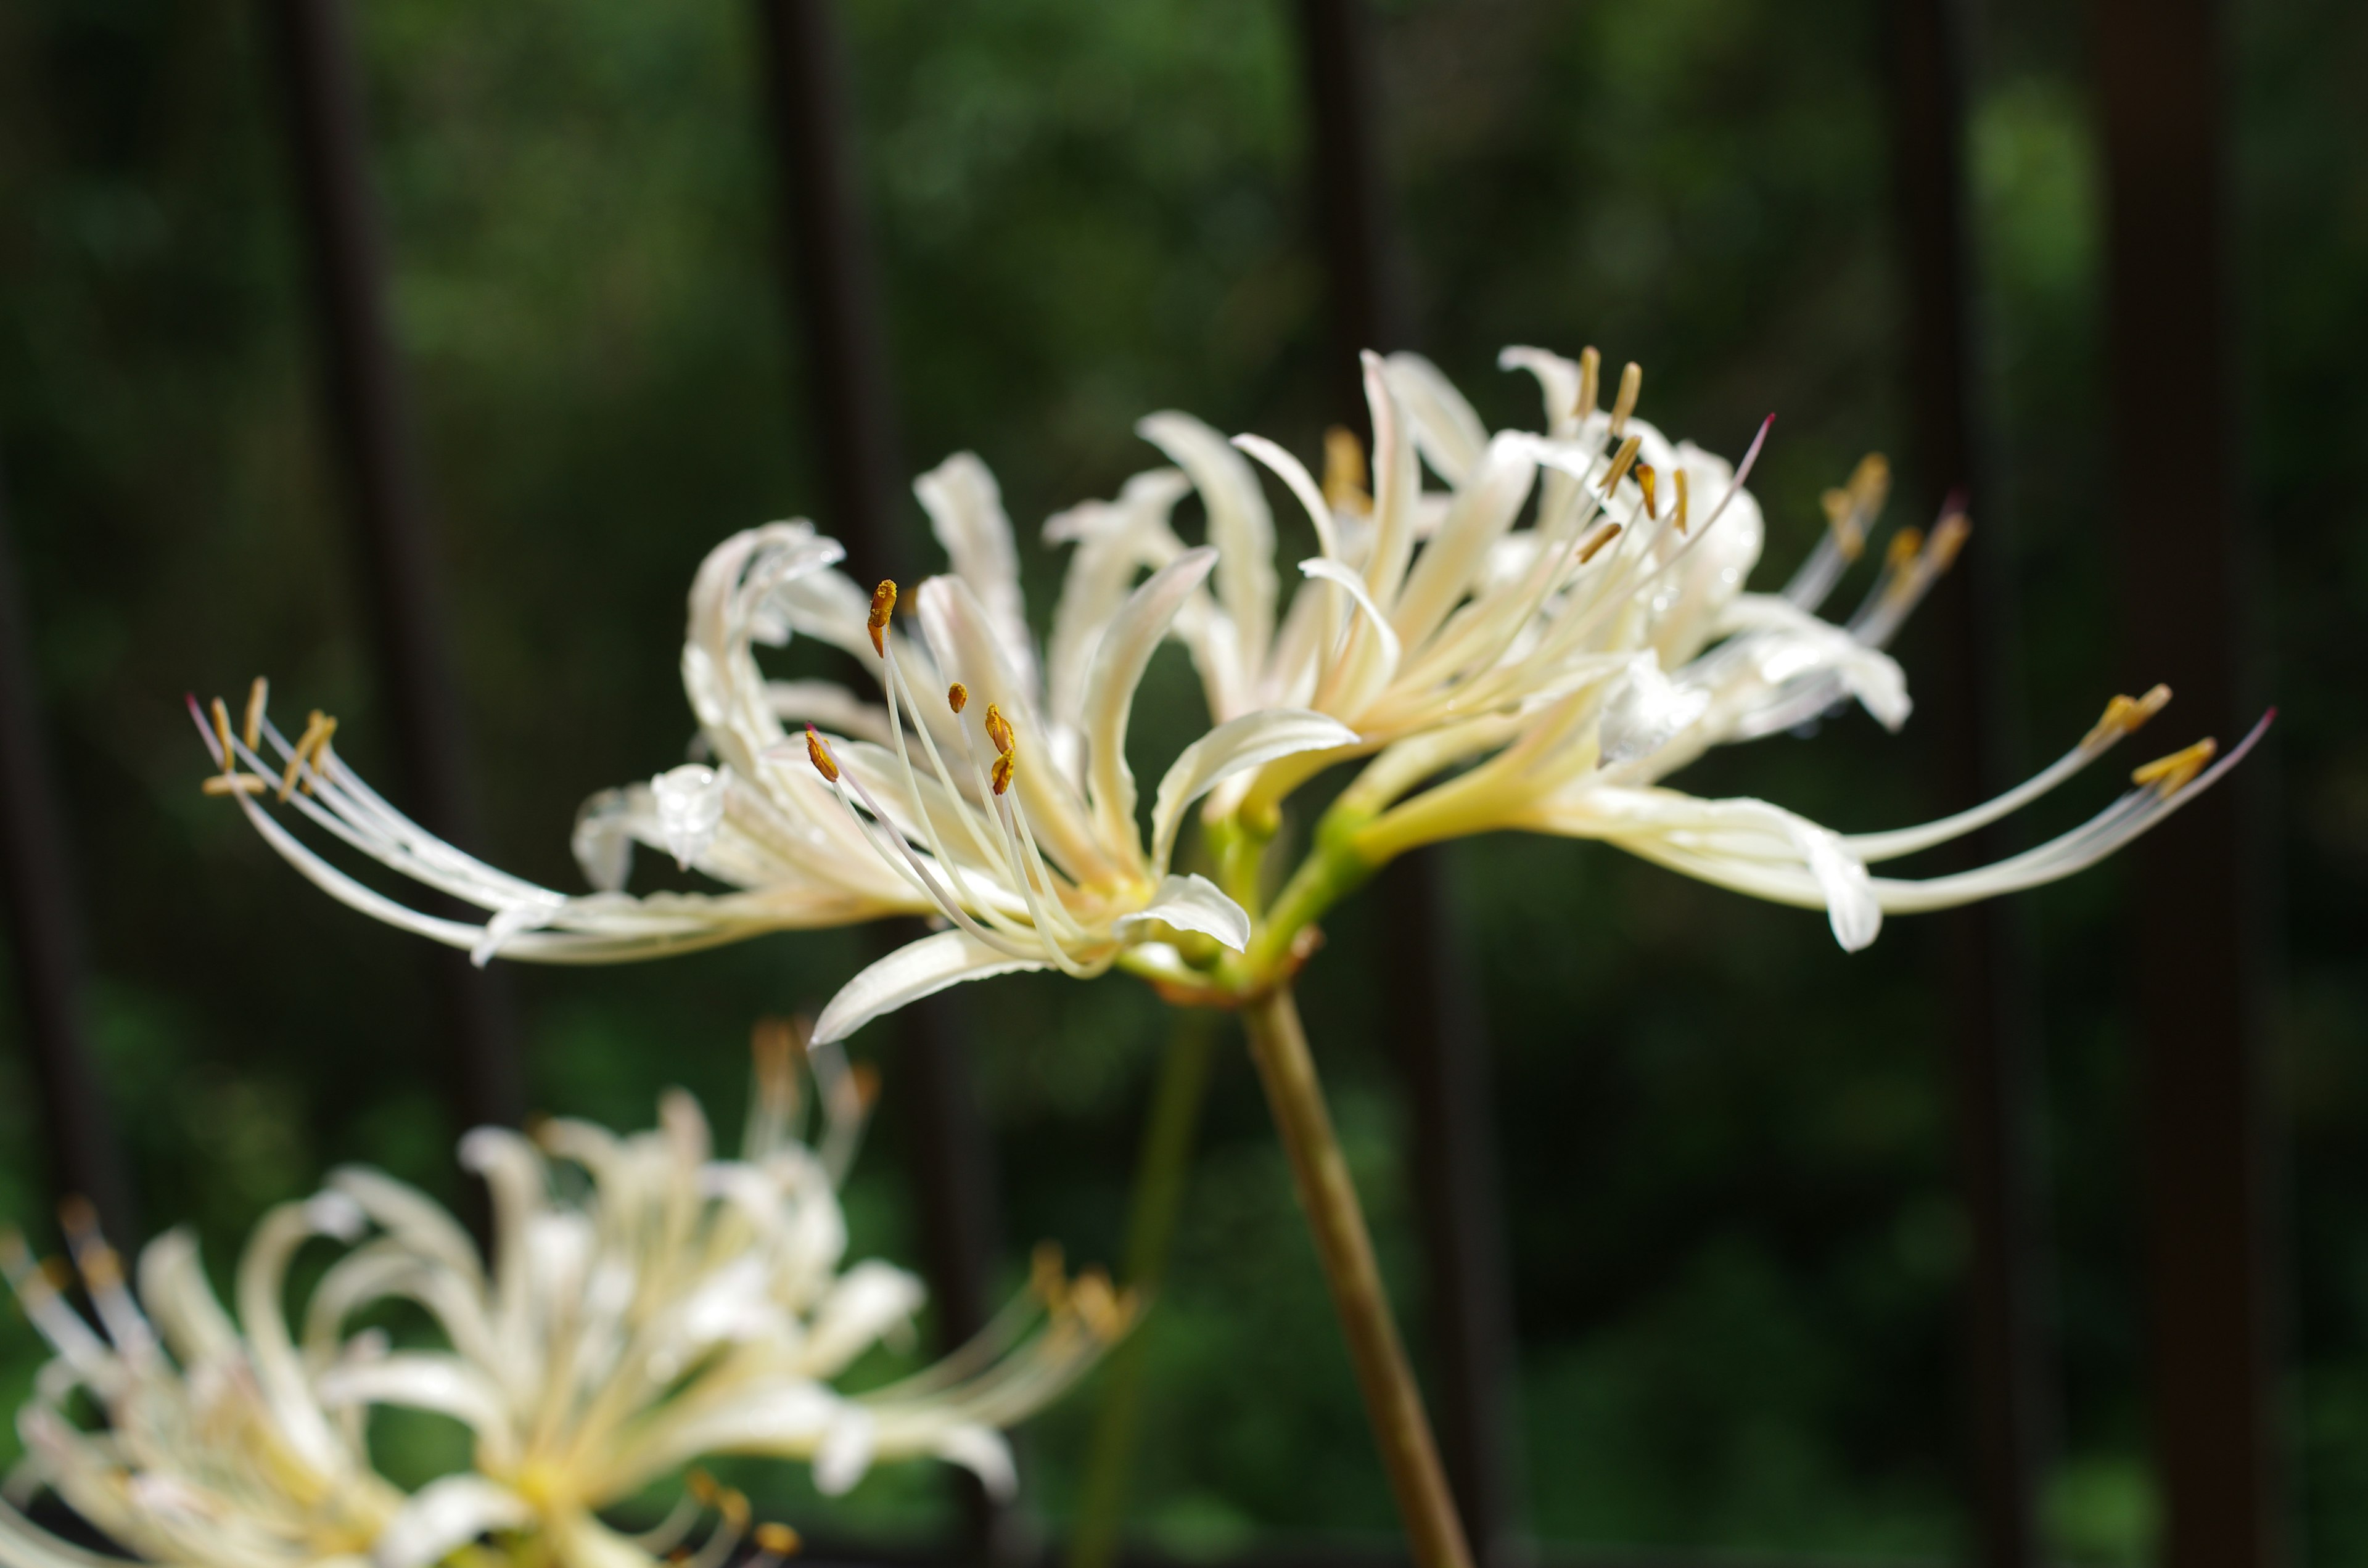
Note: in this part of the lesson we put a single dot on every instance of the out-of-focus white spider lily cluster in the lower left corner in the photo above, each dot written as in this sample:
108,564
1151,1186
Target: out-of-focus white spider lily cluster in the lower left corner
681,1306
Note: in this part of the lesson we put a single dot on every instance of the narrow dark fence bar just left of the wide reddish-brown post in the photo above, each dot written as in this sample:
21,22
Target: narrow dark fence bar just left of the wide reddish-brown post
1971,617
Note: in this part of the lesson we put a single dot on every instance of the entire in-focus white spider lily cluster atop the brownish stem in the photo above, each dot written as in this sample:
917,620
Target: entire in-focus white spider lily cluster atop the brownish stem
1507,631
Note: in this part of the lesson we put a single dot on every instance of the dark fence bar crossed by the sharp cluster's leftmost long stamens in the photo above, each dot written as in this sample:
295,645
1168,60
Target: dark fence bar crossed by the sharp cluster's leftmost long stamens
373,428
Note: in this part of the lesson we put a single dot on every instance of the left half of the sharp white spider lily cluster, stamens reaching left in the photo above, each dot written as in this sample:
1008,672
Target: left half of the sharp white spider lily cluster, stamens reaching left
918,804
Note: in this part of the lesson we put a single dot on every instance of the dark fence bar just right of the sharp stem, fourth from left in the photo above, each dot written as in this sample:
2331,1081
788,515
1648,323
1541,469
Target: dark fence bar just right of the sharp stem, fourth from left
1429,998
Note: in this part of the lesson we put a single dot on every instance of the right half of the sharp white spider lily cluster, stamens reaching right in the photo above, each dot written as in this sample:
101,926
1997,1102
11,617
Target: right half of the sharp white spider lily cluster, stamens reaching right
1583,657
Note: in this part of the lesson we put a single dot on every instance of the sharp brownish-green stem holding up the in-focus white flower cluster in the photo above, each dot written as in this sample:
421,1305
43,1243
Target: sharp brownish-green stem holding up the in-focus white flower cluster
1394,1403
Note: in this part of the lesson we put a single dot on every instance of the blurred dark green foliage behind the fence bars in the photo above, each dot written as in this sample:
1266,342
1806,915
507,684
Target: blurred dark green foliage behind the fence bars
1725,1145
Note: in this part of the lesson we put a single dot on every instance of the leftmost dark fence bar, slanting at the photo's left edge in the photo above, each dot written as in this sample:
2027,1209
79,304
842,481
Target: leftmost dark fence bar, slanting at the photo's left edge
46,932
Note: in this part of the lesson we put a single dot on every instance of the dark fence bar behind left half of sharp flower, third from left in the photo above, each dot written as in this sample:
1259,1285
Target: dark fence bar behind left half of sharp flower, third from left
830,283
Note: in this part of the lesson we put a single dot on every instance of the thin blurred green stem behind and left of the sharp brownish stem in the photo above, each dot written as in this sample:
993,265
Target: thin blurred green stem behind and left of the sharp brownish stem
1152,1221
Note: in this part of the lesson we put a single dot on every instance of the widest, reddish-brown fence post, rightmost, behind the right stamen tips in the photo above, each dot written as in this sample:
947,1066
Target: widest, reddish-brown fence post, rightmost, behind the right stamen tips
2182,555
